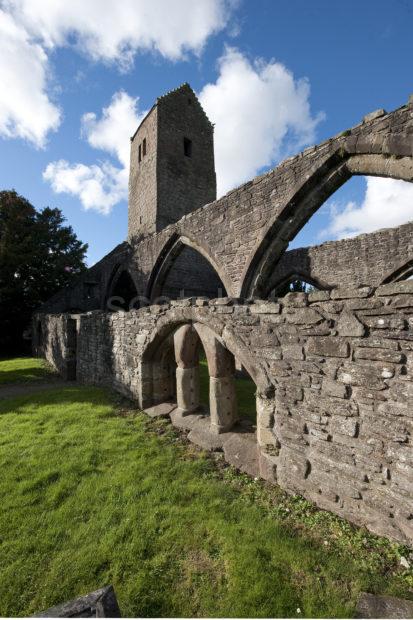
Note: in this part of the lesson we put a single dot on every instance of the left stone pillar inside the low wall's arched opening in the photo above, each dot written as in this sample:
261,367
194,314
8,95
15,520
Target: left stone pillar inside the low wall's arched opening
186,342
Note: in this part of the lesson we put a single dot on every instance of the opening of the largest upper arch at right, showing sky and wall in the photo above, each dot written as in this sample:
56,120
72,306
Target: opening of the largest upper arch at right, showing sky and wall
339,244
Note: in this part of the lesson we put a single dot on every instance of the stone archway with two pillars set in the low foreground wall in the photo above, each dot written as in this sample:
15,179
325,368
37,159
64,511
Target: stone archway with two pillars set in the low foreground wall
188,336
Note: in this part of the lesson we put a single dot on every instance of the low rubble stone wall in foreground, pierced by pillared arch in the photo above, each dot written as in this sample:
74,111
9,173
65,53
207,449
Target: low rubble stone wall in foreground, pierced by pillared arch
334,377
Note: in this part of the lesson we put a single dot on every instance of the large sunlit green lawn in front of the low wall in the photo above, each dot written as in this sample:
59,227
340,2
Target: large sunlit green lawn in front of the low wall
93,493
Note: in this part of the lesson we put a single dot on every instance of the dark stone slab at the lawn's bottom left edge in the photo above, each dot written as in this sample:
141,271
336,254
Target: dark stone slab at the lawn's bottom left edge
99,604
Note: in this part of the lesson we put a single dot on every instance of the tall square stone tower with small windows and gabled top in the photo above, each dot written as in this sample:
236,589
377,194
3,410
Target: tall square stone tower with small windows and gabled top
172,169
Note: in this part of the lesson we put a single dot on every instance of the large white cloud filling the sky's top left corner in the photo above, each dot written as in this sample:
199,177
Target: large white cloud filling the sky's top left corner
105,30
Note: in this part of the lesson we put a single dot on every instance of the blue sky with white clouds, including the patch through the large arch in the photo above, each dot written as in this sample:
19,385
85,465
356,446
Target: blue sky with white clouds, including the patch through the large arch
247,60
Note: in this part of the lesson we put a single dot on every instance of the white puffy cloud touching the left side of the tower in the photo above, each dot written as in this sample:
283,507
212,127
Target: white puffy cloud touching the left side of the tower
101,186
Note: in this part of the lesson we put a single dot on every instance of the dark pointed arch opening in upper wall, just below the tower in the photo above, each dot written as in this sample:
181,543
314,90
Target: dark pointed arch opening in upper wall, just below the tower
187,273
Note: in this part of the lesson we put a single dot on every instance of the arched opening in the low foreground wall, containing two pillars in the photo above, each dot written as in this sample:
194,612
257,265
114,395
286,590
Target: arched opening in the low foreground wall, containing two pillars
206,382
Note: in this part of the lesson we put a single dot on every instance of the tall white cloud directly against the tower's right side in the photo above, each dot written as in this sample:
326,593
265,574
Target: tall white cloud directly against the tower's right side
260,113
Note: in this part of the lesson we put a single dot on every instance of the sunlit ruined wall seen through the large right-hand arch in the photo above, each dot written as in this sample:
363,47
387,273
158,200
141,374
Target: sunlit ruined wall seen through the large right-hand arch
363,260
